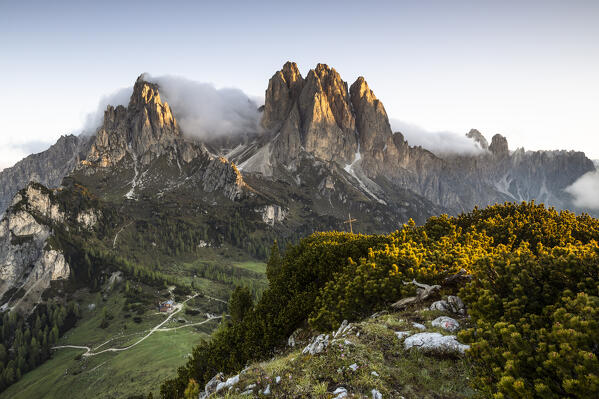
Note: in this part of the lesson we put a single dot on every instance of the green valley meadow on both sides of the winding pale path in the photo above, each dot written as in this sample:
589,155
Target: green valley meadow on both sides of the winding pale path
140,369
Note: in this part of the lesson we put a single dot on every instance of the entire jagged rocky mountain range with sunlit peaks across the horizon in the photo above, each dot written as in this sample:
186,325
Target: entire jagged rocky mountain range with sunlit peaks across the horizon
307,123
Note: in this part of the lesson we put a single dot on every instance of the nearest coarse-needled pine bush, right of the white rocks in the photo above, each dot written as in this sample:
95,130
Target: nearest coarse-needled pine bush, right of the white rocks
537,322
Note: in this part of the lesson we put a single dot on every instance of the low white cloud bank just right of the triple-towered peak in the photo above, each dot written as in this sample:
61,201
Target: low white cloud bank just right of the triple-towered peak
436,142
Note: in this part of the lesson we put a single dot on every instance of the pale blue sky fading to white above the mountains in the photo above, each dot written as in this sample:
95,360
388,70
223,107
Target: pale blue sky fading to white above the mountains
525,69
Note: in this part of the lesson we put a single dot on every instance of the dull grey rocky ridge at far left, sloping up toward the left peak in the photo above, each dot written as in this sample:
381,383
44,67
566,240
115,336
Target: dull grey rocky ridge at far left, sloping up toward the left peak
48,167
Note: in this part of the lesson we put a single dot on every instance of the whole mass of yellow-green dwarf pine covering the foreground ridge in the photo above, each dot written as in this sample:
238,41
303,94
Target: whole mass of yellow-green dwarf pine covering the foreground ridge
533,296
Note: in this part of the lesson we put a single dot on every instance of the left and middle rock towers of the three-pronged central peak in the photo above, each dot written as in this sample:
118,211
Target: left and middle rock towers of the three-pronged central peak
312,113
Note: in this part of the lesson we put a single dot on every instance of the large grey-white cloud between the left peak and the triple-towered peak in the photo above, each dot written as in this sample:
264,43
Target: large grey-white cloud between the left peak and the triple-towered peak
205,112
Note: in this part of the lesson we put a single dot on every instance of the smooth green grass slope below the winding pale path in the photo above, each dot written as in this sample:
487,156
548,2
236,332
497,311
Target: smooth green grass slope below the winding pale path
111,375
